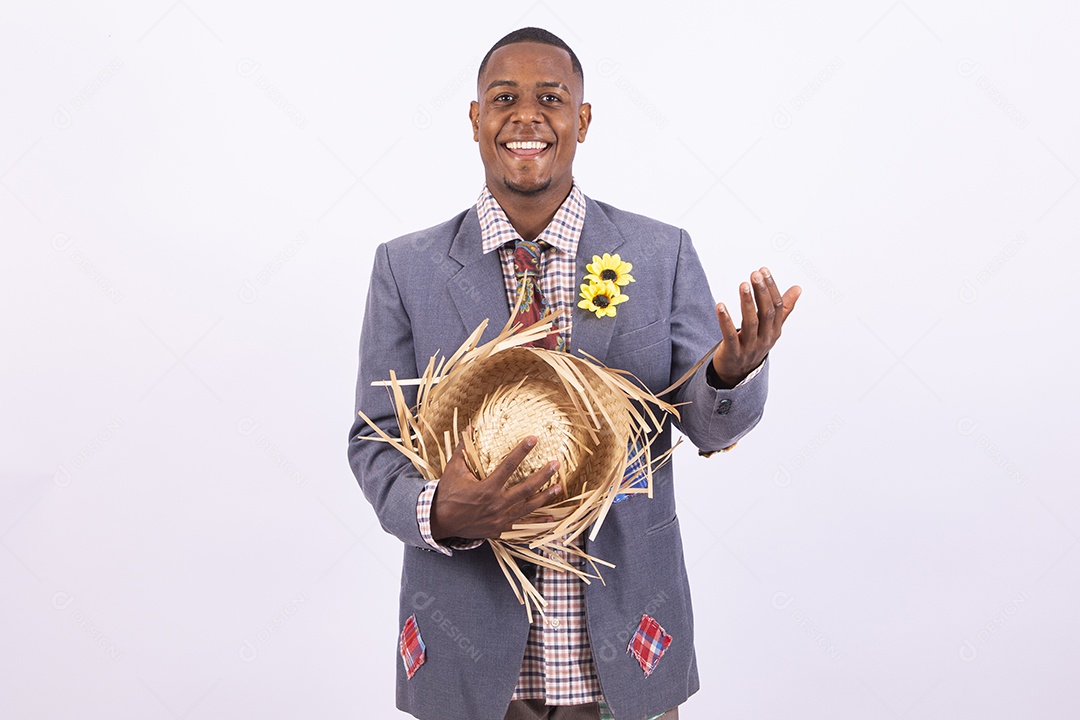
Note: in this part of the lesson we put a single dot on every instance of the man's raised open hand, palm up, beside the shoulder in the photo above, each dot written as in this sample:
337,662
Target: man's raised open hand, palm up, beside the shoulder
763,317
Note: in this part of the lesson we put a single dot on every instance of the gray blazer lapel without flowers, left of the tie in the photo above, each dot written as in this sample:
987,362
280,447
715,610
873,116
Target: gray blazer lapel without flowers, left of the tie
478,290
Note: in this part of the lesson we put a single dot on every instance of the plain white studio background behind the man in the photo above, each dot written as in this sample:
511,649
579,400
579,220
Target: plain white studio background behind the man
191,198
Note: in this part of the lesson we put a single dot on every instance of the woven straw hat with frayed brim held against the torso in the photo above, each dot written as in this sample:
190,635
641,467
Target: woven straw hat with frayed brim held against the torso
593,419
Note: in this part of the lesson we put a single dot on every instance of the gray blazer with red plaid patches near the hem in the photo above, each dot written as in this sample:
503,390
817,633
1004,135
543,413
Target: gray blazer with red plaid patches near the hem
431,289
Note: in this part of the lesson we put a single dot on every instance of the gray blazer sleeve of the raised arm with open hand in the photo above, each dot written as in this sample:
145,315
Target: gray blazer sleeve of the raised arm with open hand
714,419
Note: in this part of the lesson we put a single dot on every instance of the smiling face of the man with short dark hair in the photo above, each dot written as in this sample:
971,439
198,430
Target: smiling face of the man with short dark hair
530,119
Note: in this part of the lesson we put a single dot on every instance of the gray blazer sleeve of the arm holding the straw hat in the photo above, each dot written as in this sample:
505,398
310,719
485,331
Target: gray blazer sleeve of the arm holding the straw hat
389,481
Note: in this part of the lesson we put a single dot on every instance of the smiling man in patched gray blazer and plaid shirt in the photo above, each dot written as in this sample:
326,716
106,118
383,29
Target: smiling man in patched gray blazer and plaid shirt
624,649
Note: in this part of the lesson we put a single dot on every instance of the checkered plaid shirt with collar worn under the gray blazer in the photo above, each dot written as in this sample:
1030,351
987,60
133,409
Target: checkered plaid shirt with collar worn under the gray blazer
559,665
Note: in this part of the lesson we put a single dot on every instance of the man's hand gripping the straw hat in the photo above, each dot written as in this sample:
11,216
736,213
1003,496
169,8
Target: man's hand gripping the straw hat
474,509
